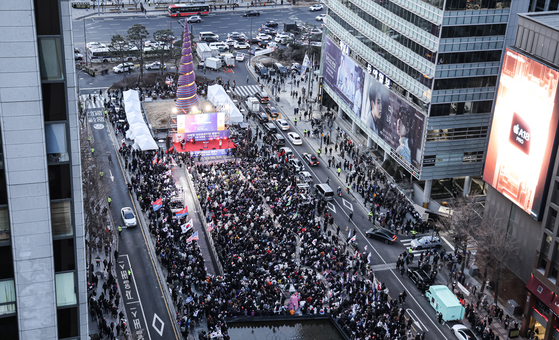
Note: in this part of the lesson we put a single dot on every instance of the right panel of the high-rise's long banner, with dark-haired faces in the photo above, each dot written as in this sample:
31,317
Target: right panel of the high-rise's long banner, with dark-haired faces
395,121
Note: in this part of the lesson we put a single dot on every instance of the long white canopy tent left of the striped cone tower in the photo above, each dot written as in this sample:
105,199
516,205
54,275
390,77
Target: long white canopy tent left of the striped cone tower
138,130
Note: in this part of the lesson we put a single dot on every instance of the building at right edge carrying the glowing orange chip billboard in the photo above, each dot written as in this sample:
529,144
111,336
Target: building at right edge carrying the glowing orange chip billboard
521,166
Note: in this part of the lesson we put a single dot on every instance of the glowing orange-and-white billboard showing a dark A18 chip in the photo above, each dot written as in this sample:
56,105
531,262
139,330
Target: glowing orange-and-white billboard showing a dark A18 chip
523,132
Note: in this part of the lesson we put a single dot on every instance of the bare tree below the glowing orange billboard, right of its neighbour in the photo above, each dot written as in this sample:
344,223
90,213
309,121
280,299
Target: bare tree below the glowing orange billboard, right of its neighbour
495,248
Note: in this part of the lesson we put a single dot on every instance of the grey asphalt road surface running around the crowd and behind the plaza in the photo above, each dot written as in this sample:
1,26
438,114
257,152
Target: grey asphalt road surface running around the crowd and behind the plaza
133,245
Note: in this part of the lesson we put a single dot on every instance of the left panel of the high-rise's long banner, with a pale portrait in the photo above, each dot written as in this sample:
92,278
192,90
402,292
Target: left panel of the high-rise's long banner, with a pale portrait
343,75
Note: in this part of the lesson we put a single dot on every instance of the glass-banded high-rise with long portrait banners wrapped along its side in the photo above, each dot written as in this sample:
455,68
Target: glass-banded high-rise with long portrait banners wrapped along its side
419,78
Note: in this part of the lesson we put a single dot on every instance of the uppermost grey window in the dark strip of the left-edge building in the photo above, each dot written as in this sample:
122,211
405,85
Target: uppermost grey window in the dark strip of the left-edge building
50,59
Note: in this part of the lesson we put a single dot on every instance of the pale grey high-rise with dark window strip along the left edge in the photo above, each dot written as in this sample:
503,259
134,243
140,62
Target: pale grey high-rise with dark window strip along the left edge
43,287
